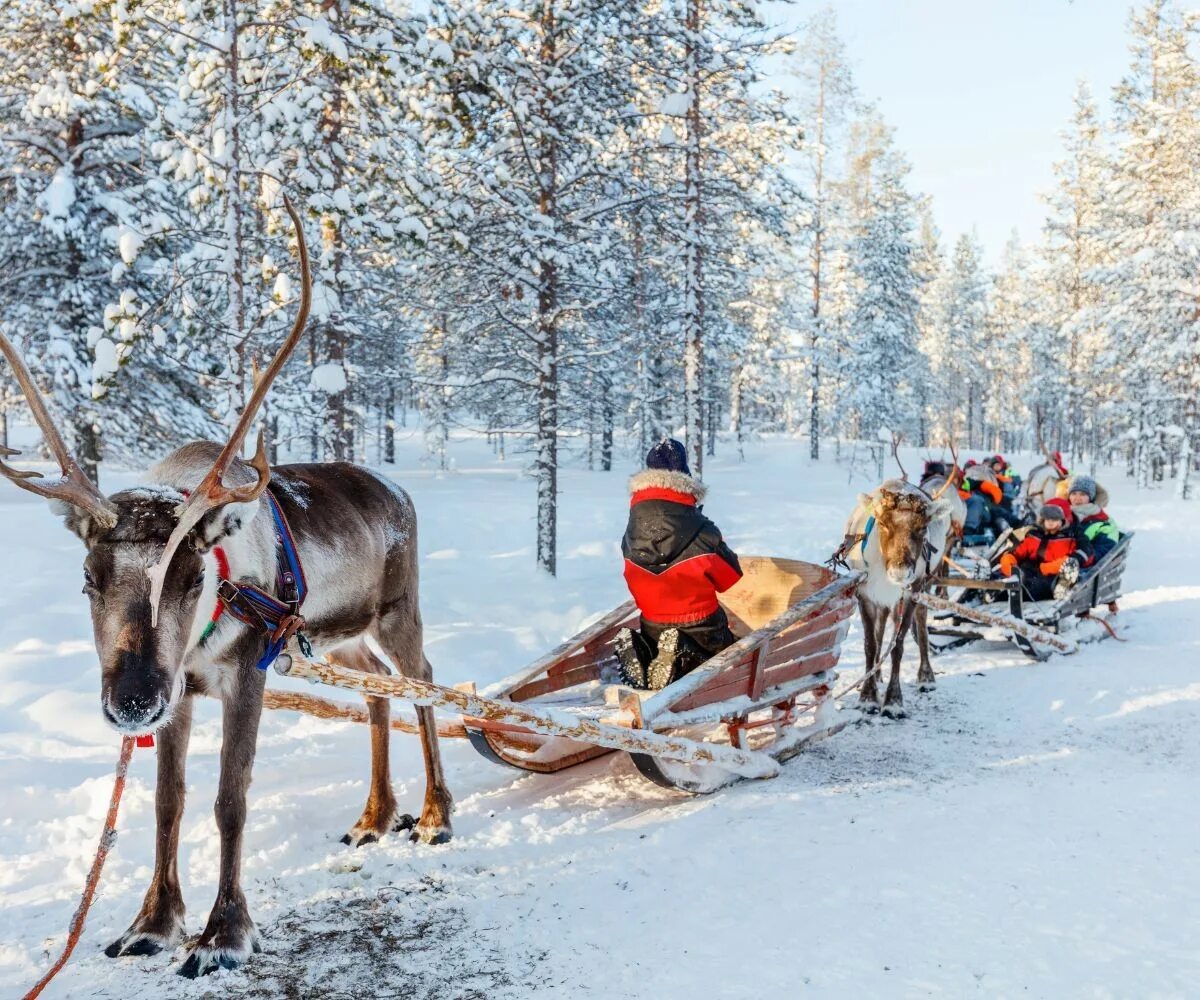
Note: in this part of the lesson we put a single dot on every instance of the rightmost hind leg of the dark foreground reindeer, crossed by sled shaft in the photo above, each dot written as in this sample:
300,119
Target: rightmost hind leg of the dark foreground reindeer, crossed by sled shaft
400,634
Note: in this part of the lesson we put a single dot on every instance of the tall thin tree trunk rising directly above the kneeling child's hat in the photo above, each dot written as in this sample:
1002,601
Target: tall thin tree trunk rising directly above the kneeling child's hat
694,258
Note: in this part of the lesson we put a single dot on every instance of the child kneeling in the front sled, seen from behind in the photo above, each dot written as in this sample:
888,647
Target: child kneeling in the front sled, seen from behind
676,565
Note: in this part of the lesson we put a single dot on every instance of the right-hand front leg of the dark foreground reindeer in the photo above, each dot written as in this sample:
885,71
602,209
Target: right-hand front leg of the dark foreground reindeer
231,937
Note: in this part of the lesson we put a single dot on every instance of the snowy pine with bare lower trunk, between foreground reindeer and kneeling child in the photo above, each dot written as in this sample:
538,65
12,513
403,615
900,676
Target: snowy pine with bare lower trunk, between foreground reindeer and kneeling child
541,99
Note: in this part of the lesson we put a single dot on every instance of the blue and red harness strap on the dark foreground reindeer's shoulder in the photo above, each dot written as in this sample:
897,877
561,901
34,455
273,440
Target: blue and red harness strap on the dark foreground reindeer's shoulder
278,616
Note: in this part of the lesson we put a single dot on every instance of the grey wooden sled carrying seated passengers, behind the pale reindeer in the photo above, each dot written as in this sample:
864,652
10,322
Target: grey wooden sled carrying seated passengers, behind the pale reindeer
1036,627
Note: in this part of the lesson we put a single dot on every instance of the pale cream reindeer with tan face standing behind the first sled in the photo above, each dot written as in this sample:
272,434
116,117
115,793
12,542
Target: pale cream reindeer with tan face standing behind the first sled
898,535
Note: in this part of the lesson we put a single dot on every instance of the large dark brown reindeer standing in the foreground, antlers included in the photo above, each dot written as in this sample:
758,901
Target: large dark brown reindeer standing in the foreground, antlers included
161,642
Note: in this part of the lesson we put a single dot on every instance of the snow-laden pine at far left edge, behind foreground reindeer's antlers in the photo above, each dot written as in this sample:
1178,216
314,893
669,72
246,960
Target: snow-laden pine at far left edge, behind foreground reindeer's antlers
77,203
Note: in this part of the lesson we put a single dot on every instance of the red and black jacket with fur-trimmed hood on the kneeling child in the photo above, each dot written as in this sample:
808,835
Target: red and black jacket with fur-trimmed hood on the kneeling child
676,562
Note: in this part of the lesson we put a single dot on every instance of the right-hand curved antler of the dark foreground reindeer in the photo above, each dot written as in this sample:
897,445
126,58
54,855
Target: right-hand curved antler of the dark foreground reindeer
213,494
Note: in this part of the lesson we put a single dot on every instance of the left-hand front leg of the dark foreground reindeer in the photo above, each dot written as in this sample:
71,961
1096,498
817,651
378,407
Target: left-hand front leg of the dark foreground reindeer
160,923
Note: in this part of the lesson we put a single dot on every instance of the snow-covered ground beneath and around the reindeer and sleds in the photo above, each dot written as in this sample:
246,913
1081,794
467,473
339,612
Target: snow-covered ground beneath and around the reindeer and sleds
1029,831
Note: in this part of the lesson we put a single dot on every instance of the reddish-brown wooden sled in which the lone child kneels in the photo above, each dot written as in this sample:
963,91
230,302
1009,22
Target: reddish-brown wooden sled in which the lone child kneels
791,618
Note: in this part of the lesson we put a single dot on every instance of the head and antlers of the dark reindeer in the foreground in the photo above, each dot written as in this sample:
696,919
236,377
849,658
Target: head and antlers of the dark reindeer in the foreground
143,583
